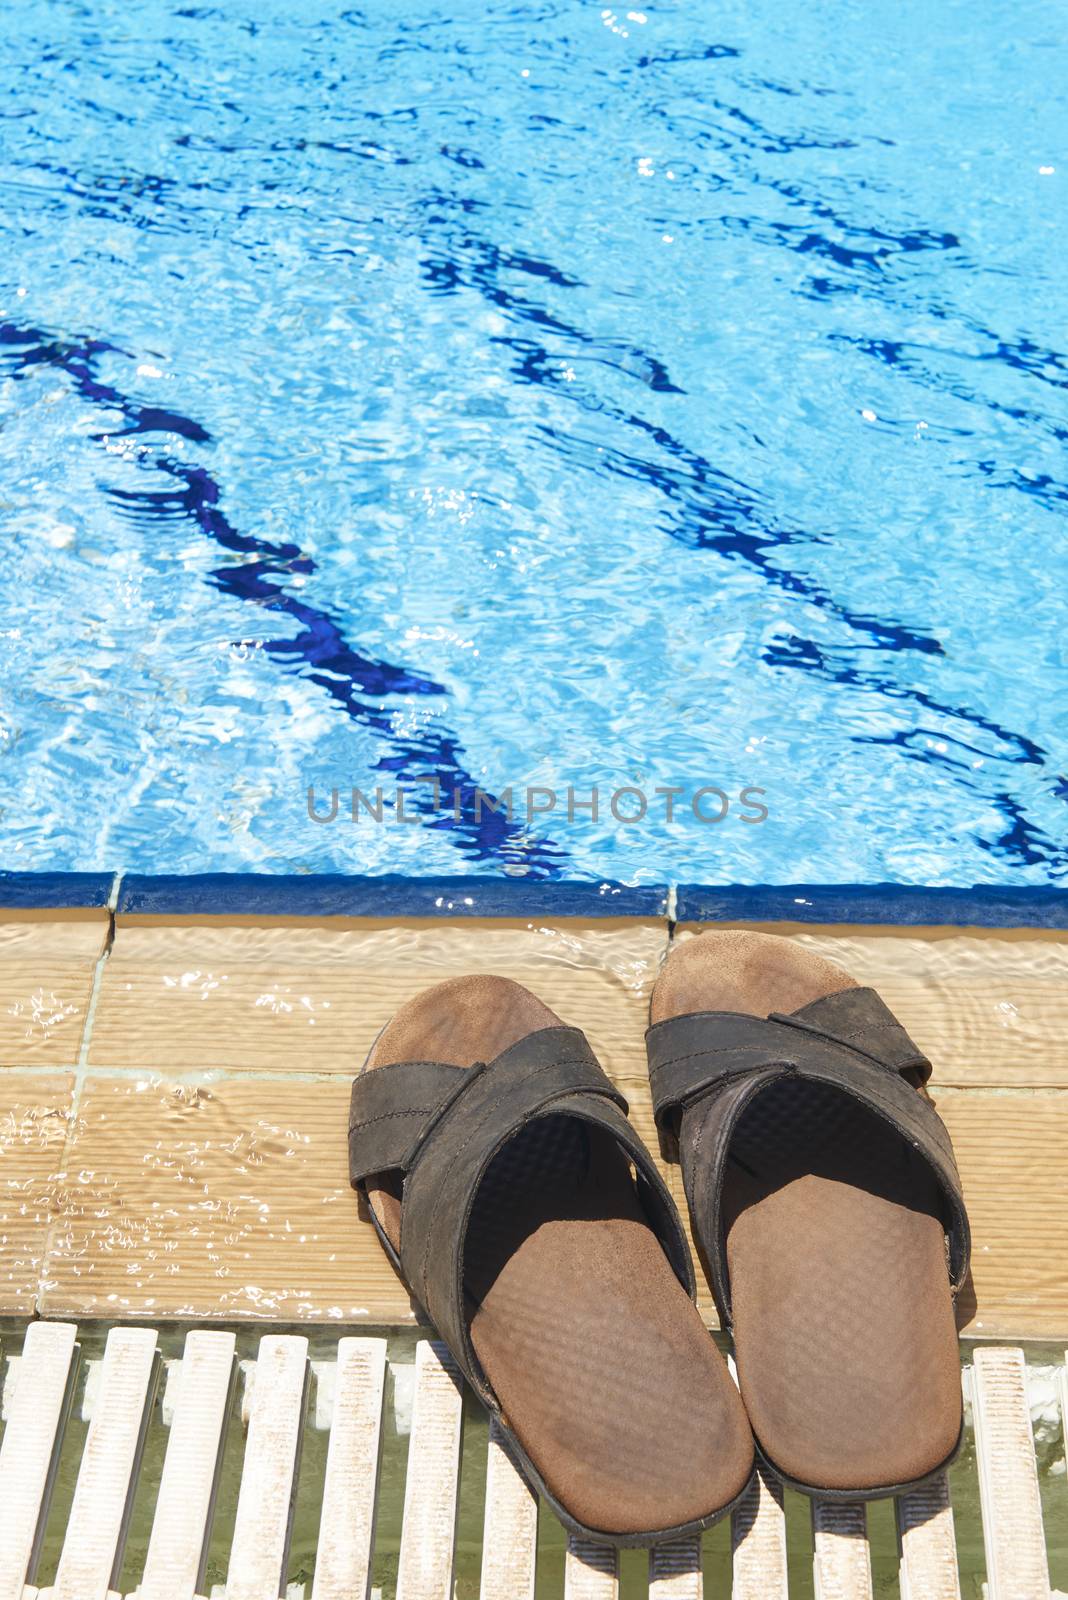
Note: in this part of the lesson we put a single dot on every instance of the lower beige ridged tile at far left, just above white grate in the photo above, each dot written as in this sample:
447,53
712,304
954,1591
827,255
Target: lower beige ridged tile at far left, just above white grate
34,1111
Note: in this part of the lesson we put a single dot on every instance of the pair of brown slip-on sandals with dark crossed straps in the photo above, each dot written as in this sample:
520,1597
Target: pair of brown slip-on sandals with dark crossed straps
535,1230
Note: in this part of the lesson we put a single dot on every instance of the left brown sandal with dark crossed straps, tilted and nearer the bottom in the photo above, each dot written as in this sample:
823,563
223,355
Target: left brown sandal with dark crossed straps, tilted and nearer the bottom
530,1222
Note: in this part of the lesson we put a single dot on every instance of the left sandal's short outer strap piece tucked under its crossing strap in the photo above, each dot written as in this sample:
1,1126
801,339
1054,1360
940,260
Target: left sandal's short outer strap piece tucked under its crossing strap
391,1111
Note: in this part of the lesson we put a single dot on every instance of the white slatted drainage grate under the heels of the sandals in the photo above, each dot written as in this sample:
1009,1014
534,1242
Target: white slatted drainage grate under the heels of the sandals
199,1412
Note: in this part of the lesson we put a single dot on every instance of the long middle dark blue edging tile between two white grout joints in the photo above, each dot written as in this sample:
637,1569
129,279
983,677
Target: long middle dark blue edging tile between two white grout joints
327,895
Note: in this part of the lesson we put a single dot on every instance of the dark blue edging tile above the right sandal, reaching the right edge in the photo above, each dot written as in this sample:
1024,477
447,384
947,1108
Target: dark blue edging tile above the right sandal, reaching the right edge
896,905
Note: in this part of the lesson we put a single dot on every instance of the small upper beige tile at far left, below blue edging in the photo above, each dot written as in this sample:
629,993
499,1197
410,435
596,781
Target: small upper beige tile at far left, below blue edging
47,966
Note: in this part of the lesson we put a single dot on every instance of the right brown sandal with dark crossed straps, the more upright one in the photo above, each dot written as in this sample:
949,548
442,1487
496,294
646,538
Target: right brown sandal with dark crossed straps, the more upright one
826,1206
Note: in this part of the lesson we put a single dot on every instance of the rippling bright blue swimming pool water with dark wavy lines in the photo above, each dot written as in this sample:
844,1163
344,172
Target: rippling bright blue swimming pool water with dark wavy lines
540,398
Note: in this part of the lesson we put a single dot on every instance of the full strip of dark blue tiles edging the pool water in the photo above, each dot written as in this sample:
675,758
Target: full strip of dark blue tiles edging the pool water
391,895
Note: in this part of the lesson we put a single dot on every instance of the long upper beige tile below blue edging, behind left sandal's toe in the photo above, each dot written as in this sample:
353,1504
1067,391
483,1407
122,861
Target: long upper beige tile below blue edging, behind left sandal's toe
311,999
